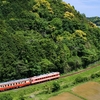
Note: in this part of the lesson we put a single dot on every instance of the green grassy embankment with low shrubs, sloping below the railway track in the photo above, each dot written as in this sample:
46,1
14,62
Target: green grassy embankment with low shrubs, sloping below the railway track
43,91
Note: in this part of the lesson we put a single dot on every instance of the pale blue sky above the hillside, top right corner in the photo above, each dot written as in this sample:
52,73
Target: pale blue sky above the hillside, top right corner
89,7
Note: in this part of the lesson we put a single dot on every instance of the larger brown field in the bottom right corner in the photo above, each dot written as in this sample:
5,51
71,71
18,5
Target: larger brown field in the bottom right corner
89,90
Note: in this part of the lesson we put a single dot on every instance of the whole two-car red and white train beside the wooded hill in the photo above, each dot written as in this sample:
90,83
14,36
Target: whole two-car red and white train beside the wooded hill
28,81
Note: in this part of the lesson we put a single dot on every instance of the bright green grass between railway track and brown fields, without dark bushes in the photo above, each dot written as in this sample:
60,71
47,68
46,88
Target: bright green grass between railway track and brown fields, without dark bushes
36,92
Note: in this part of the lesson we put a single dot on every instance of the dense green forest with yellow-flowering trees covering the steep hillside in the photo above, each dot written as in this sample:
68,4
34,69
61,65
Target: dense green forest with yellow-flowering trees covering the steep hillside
40,36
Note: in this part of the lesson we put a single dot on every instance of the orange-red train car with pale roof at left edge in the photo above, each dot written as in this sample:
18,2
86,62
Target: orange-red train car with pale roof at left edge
14,84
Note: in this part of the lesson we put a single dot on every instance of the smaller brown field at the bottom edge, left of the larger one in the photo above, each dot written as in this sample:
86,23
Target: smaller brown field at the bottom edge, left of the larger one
65,96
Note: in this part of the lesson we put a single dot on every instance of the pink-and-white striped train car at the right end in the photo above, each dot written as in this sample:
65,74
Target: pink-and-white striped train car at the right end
44,77
